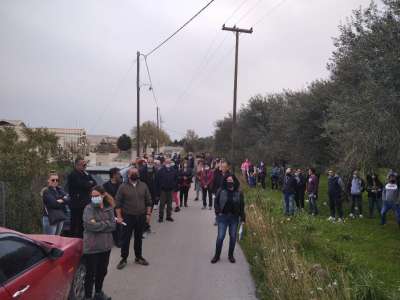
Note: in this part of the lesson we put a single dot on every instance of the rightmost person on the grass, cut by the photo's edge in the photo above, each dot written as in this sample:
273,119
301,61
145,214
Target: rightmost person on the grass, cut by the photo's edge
391,198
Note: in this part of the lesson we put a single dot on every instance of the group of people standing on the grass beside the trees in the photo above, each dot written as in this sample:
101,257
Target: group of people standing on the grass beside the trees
295,185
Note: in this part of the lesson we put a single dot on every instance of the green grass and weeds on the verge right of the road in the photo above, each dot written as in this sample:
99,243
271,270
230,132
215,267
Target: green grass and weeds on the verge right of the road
307,257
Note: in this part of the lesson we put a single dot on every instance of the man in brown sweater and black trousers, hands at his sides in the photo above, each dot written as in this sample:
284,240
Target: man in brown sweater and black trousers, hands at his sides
133,207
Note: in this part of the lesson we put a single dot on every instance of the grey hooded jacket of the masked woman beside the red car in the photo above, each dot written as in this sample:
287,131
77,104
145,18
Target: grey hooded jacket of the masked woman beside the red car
99,223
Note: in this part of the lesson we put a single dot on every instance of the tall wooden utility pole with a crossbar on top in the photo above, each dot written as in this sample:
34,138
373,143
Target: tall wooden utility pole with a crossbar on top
236,30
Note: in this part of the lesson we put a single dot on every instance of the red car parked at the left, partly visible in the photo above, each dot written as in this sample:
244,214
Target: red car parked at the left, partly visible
40,267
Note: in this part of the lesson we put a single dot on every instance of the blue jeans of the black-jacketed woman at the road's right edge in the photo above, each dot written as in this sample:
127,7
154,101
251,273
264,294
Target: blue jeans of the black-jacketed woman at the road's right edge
225,222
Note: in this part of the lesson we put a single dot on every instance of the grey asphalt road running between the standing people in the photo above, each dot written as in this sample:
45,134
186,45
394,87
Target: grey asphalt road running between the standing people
179,254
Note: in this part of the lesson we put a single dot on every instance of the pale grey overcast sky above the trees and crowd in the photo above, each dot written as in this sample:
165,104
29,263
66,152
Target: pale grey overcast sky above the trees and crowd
69,63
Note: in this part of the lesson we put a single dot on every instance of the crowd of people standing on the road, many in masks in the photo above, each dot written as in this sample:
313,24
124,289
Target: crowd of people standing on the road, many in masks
106,216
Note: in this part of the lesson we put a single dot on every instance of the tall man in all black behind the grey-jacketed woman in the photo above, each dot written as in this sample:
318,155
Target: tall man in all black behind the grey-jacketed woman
80,184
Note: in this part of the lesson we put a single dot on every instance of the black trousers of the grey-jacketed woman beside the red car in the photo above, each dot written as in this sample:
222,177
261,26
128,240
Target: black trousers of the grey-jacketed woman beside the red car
96,270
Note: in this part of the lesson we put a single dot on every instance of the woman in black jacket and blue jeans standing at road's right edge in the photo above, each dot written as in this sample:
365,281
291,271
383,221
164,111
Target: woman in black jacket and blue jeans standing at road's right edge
229,208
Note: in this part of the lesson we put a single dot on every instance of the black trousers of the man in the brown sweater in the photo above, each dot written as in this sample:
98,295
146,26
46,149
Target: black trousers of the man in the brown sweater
135,225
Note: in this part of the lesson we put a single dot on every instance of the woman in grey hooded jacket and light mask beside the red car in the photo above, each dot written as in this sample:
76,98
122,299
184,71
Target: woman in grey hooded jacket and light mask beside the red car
99,223
